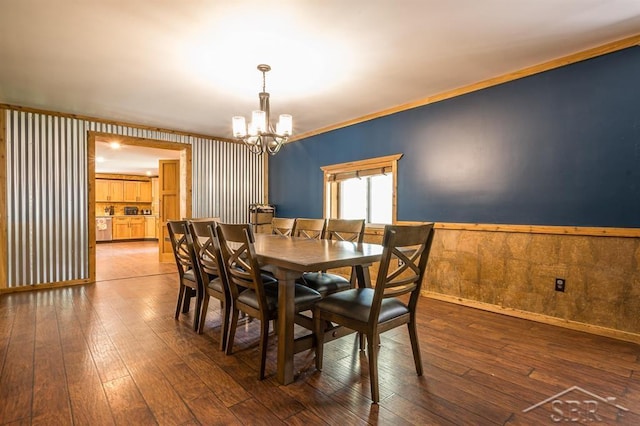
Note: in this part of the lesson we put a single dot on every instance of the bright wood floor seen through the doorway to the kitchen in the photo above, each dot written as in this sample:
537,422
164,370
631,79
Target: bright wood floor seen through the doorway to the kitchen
129,260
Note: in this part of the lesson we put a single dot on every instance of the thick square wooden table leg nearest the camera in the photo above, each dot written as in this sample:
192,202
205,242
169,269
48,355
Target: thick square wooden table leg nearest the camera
286,318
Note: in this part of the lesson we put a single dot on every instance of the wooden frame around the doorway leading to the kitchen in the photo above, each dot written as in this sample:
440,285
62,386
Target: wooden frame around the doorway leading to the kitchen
185,180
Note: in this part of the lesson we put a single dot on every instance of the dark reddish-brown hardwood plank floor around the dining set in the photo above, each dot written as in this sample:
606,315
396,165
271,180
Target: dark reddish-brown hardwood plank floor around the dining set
112,353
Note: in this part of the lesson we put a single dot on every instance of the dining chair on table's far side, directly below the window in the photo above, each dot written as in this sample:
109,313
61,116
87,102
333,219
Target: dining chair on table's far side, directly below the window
351,230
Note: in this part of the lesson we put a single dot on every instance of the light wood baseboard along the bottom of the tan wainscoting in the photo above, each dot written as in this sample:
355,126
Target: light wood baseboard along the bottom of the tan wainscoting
545,319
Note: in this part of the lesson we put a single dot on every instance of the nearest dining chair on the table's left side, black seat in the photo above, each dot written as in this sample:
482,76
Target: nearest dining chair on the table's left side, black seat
249,293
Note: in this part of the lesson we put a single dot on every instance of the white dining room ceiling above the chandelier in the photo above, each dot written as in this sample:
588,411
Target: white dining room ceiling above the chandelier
191,65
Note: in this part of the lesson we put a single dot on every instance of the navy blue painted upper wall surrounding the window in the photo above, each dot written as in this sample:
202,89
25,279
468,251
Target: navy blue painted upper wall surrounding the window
557,148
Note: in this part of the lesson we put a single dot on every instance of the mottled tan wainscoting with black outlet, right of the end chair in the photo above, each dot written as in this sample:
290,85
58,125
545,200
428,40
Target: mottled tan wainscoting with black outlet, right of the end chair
512,269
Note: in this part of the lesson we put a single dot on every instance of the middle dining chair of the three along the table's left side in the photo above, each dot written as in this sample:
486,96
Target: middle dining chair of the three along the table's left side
214,281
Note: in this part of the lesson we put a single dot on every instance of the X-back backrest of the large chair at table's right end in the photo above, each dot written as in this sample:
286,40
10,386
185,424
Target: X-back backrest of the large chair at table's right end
403,263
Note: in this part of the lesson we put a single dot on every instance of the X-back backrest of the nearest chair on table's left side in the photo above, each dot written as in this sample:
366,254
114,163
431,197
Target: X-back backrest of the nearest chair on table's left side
239,259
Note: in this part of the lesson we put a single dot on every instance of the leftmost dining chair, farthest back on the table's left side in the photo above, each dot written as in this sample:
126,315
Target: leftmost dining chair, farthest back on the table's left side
190,279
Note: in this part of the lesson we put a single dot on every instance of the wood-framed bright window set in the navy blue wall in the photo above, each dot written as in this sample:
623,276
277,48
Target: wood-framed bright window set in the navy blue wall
362,189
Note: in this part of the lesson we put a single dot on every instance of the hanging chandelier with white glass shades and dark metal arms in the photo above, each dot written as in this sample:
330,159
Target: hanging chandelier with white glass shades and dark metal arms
260,135
